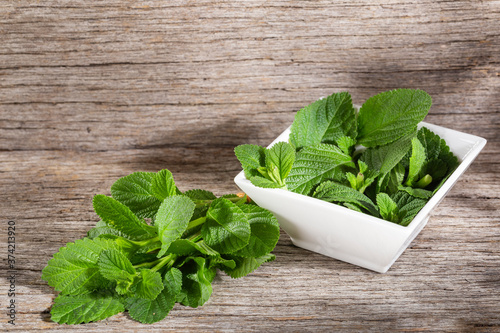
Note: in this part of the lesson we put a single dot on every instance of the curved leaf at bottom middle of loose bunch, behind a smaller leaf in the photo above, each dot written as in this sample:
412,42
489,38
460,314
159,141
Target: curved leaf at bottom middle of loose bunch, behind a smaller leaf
151,311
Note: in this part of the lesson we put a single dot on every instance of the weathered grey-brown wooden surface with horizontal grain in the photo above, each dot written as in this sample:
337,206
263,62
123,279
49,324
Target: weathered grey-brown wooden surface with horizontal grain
91,91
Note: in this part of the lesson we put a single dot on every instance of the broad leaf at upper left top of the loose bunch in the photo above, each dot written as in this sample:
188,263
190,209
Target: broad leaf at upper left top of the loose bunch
134,191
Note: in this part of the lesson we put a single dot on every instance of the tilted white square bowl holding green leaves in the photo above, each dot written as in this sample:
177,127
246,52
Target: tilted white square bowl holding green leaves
351,236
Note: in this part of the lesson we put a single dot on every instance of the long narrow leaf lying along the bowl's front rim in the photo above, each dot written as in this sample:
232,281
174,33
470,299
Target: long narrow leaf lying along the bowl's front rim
335,192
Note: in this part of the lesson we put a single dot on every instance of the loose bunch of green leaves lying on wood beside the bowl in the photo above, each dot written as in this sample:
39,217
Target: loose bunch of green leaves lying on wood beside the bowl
156,246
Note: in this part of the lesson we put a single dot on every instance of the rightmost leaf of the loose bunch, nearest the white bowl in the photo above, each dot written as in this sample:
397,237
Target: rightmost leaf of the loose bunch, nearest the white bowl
265,232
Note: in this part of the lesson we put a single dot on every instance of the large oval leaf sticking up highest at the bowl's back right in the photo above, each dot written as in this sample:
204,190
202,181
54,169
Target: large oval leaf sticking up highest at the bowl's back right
390,115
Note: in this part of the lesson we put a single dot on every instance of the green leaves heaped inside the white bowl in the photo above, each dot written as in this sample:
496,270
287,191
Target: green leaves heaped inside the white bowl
373,160
